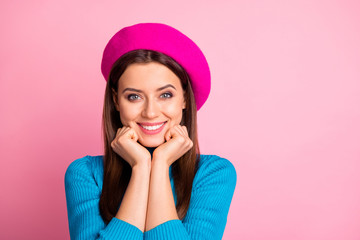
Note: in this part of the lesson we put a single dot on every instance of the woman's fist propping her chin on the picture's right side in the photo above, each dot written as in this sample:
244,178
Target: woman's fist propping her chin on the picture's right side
177,143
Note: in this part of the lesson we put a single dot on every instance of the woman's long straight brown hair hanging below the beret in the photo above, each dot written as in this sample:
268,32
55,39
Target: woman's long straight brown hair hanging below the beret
117,171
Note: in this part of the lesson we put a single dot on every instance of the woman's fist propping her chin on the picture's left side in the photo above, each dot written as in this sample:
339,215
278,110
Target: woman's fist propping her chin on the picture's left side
125,145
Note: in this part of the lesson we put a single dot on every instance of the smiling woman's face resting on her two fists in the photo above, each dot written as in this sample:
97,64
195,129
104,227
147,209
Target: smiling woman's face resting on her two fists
150,100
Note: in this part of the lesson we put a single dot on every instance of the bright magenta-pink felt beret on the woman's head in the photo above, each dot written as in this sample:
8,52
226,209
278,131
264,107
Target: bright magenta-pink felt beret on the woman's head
167,40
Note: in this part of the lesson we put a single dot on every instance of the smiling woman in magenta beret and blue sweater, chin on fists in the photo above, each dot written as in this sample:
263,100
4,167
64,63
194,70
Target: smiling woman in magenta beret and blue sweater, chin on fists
152,182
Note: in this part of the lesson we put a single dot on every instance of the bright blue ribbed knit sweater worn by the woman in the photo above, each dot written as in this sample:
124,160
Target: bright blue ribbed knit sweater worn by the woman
211,195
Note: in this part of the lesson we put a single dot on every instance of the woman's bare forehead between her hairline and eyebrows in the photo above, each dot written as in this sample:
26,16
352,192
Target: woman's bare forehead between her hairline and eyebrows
148,76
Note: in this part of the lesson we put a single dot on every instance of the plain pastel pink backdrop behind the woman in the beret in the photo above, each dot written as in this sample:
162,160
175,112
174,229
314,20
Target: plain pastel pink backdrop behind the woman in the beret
284,108
